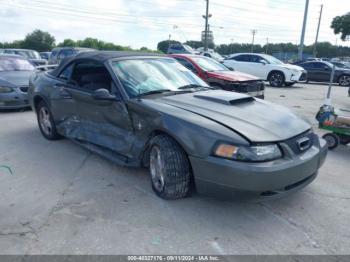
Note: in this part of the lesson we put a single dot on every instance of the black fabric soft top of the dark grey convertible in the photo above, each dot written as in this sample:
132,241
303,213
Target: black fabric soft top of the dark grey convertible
99,56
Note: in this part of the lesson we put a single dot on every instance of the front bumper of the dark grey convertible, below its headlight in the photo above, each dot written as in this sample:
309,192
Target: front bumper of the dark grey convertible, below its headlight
220,176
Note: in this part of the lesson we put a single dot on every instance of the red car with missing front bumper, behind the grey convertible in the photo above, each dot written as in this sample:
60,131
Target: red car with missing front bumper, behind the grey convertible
219,76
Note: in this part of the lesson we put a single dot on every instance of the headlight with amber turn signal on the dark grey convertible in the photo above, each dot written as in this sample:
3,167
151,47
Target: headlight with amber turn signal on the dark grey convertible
248,153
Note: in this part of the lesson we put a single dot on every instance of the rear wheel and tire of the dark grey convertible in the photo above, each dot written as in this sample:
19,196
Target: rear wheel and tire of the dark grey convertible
50,131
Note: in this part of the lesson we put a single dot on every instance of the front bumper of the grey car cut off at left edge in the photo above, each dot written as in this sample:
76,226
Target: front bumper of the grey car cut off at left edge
14,100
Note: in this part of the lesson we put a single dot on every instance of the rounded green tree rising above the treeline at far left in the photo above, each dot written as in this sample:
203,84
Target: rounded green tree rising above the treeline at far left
39,40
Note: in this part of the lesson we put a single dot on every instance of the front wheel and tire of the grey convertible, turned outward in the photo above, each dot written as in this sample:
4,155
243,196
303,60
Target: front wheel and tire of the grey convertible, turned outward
170,170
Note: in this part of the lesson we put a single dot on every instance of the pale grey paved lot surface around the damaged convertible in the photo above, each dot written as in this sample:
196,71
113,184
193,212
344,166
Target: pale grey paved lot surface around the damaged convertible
58,198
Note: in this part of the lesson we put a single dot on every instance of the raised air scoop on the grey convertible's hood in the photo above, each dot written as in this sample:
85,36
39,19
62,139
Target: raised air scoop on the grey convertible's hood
226,98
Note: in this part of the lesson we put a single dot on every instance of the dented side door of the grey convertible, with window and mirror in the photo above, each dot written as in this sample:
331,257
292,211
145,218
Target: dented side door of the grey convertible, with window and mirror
103,117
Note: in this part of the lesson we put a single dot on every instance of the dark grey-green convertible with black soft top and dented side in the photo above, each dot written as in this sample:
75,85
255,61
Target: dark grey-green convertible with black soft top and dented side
148,110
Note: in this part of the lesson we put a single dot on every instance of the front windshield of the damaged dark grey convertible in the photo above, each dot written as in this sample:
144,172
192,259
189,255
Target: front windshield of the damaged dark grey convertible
140,76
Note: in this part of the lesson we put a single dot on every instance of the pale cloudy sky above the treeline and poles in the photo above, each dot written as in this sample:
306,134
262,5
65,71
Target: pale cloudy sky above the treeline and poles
138,23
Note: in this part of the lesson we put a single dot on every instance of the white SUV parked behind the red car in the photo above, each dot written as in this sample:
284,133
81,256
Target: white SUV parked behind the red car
267,68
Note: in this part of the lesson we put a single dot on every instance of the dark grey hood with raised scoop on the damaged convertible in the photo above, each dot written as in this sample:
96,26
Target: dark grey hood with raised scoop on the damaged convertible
254,119
